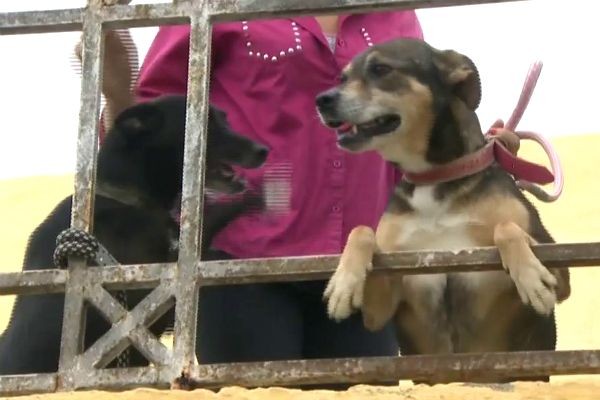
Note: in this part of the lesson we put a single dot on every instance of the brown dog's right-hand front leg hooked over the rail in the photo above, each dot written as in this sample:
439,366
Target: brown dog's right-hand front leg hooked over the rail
535,283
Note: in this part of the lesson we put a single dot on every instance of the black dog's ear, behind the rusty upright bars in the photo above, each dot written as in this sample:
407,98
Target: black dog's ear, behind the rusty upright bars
139,119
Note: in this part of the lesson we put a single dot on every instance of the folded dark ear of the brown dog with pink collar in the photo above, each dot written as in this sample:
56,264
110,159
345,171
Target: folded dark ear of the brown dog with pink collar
460,73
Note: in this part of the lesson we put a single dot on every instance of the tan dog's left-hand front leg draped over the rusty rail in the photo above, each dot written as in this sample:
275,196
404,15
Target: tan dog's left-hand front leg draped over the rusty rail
344,292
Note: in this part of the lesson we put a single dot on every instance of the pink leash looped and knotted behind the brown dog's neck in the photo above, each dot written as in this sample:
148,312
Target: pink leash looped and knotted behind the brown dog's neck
510,162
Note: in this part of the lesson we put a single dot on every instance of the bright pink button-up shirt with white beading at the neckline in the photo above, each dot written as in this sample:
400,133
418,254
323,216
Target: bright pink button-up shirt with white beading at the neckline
265,75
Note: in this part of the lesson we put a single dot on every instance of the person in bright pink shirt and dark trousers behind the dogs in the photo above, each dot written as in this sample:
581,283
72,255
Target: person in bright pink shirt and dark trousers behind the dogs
265,76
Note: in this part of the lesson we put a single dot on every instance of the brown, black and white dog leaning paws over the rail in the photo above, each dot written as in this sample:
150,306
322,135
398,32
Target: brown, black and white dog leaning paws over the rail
415,106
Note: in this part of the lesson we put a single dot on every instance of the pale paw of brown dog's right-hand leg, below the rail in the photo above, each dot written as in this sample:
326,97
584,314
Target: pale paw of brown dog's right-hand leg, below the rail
536,285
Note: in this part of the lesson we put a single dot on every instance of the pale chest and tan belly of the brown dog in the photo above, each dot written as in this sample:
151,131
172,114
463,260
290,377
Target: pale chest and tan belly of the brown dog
459,302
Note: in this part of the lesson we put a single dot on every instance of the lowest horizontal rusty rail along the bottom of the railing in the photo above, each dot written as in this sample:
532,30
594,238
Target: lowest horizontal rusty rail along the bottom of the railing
383,370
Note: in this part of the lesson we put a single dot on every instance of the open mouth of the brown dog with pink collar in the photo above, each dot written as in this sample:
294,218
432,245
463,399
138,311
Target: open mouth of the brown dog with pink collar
349,133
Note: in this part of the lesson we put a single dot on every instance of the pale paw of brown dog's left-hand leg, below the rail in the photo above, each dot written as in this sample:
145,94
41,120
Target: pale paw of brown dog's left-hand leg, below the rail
344,292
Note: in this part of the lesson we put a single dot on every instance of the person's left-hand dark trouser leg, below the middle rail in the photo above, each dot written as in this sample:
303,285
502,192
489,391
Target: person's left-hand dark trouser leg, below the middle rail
252,322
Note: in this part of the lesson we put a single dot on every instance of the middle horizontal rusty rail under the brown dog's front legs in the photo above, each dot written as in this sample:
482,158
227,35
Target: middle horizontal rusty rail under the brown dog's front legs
408,262
